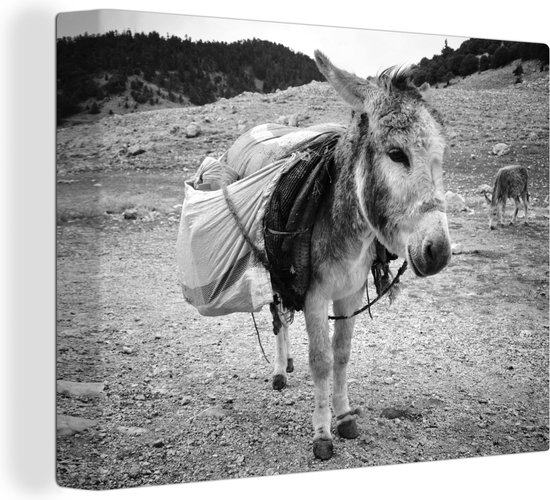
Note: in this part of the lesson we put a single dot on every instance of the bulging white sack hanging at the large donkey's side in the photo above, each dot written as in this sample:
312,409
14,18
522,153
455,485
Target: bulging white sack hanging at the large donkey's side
217,270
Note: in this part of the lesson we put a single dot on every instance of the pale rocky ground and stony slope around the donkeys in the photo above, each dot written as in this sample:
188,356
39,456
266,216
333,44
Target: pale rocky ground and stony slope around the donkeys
150,392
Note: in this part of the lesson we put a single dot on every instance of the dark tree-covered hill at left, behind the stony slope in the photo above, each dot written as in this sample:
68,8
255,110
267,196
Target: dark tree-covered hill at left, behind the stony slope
123,73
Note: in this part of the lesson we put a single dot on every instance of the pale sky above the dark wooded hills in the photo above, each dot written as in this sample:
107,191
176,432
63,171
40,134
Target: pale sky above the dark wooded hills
360,51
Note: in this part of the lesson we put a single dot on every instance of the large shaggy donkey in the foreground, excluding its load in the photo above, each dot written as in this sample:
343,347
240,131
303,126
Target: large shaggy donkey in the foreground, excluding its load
387,184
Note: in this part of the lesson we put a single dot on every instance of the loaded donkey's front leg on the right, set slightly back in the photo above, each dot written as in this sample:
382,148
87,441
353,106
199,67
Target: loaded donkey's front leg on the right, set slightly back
341,345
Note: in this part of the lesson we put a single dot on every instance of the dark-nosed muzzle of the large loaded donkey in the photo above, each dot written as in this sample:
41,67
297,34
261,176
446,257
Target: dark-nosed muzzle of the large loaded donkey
429,249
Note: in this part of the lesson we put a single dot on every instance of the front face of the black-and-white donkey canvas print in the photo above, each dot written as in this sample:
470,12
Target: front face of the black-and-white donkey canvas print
287,248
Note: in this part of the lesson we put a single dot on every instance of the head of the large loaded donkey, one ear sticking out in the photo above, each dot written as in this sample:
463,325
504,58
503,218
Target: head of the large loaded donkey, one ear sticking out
392,156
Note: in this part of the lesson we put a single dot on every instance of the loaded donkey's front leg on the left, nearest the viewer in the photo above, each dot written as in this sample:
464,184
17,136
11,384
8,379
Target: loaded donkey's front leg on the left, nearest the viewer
320,365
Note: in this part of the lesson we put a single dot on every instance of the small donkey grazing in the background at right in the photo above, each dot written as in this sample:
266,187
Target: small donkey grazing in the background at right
510,182
